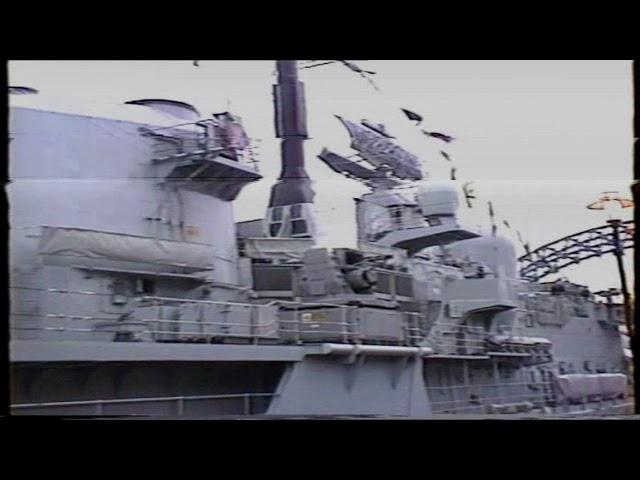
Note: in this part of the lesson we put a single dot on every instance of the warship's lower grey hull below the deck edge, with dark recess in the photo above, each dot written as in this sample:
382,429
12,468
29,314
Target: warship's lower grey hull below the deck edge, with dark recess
209,381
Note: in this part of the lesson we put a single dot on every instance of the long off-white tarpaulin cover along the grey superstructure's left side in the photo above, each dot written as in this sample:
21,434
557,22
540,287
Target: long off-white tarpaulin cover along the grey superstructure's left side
94,244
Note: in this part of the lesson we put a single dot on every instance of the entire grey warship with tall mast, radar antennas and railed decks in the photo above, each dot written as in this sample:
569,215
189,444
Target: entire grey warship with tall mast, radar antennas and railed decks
135,292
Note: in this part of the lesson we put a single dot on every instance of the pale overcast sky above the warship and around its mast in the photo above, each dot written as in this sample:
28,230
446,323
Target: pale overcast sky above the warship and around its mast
540,139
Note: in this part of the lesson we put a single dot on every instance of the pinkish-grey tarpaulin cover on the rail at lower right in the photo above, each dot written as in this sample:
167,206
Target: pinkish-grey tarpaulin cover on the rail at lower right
578,387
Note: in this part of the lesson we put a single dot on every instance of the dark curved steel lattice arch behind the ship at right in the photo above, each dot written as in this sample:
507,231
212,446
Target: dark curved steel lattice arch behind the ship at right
574,249
